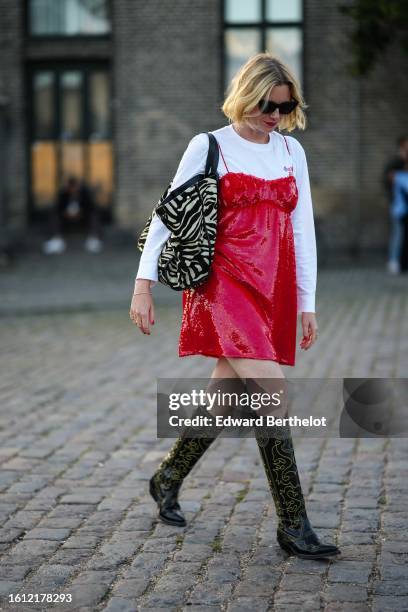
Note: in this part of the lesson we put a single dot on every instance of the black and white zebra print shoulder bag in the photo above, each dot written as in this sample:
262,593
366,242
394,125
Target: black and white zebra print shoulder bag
190,213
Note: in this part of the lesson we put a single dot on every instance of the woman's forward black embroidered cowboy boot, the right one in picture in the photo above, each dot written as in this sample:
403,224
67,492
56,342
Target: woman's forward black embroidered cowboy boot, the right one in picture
294,532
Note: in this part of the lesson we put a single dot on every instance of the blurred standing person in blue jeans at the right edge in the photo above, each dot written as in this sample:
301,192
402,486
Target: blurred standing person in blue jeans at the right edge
396,164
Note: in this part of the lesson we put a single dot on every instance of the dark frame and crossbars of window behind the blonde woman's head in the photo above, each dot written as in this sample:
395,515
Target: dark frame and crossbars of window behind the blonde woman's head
262,25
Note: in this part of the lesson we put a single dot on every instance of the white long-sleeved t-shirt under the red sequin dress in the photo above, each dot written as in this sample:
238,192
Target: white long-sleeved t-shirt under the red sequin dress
269,160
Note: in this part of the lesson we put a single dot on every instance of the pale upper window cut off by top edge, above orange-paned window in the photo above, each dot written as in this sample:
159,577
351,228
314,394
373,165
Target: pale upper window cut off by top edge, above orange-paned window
68,17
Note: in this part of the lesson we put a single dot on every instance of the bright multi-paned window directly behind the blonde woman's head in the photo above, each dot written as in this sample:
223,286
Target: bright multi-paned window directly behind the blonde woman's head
253,26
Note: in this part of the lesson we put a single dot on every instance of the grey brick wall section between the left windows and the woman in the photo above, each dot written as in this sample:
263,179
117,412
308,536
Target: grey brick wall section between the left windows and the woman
167,75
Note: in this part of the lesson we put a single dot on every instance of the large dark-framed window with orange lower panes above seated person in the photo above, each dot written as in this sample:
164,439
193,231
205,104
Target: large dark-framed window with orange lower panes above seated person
70,131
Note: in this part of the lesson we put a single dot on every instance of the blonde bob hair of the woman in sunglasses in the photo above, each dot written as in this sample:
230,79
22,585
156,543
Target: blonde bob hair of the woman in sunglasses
255,80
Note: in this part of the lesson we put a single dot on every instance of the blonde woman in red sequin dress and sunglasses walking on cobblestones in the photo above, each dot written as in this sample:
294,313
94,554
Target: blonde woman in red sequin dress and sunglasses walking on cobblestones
263,274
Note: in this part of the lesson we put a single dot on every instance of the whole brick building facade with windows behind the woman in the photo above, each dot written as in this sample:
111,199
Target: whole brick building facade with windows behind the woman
113,90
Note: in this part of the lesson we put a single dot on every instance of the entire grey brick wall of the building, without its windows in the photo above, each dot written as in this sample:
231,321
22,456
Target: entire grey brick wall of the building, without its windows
166,62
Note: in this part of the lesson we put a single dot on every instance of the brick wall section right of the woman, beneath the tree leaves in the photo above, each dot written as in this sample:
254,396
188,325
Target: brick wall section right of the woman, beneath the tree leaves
353,125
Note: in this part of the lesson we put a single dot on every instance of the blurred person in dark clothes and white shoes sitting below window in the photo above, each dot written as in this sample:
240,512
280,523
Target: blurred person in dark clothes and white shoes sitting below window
74,204
